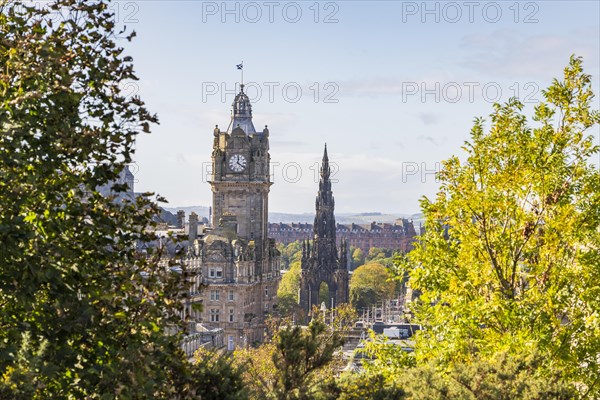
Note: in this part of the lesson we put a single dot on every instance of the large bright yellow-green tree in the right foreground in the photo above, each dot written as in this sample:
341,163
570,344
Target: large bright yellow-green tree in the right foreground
509,261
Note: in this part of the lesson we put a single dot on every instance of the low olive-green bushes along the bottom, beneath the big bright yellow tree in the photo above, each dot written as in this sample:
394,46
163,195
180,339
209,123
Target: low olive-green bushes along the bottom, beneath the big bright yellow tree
391,372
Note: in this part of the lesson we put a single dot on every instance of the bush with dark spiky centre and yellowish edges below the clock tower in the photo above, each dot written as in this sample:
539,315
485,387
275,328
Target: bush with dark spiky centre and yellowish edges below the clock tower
298,362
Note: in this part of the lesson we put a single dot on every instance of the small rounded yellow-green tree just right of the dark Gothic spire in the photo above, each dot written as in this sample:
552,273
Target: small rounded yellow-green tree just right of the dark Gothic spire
370,284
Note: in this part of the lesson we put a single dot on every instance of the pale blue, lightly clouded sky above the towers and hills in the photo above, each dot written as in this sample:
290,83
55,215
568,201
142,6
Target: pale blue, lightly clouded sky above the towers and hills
392,87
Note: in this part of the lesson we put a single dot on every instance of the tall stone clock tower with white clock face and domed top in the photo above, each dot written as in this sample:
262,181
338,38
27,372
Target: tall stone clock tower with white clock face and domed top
240,263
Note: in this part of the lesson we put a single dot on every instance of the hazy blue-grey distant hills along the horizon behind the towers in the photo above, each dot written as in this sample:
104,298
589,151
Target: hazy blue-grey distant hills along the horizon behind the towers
342,218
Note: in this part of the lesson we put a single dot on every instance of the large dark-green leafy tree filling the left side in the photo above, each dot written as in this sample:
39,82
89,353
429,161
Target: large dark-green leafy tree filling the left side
83,315
